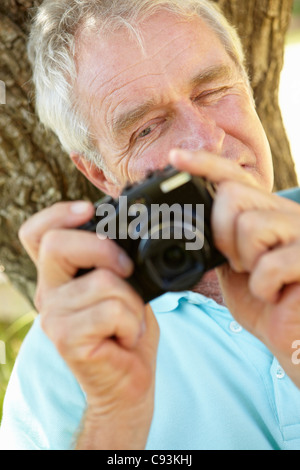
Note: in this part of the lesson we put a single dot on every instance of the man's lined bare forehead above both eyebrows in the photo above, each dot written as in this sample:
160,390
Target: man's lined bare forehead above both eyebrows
115,66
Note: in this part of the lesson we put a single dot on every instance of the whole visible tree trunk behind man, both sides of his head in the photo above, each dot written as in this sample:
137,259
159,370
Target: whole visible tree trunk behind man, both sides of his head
35,173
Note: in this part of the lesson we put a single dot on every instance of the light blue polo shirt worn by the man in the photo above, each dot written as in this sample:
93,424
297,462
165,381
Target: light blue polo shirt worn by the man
217,387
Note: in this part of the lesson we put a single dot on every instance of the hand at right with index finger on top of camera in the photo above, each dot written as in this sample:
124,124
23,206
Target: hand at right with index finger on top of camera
259,233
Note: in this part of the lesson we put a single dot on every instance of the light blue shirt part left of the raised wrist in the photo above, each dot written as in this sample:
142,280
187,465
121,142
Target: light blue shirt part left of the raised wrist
44,403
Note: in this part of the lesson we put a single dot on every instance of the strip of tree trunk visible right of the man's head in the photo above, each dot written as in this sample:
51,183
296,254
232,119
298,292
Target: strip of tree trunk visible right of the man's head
262,25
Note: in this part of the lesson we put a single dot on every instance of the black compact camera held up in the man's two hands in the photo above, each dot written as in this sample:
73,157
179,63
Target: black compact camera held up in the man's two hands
164,225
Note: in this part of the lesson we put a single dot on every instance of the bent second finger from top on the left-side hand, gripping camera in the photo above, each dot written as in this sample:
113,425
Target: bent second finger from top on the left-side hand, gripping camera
63,252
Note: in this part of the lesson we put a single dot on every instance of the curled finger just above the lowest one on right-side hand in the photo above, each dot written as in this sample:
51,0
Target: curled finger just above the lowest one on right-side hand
257,232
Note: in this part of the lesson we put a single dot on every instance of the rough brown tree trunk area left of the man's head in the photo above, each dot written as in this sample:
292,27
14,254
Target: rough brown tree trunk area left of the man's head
34,172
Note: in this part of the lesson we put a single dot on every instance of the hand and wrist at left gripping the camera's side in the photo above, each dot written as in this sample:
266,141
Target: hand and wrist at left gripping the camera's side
98,323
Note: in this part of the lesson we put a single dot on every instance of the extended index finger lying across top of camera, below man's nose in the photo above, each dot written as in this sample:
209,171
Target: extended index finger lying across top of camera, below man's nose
214,168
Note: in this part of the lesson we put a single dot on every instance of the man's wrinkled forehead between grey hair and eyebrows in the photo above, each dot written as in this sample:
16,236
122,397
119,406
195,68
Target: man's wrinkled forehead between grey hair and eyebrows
105,61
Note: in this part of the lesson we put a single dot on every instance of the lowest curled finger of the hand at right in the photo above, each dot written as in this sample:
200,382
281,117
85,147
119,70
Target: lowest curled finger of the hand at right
275,270
